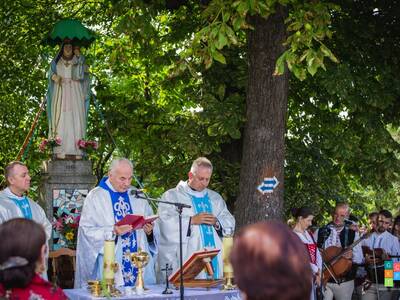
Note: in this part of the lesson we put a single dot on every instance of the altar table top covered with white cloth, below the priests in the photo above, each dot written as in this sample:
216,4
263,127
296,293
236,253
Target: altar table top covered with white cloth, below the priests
155,292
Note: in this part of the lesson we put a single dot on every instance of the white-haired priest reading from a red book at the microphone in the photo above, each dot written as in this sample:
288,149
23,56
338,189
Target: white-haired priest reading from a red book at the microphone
104,206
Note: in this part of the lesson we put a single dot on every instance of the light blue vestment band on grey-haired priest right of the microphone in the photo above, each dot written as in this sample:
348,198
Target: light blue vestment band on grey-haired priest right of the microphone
203,205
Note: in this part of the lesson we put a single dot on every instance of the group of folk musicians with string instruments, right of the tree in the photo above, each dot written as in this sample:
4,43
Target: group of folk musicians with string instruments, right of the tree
350,257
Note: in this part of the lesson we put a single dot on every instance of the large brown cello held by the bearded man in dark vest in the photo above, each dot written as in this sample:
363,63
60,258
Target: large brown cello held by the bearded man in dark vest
335,262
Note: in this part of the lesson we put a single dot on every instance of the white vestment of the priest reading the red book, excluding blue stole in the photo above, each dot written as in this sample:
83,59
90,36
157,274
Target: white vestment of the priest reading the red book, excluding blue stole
97,219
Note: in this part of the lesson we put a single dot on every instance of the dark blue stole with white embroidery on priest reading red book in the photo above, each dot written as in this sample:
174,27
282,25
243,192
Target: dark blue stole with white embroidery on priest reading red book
122,207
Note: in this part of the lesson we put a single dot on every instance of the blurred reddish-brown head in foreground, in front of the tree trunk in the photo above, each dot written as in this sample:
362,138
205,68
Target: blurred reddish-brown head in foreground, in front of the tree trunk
267,258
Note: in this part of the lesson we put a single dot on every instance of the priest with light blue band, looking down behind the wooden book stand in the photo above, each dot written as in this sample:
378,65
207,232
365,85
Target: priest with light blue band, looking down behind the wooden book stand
203,224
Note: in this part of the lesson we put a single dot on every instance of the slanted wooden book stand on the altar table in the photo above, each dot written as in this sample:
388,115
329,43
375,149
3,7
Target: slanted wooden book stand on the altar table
199,261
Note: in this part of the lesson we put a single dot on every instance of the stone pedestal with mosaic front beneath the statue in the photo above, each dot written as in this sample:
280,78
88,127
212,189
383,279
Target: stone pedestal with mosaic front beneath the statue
63,188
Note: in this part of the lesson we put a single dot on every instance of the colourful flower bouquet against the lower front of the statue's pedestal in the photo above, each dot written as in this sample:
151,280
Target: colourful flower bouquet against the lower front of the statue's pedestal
67,227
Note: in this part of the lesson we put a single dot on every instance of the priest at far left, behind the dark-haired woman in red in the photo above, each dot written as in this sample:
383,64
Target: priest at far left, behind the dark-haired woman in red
14,203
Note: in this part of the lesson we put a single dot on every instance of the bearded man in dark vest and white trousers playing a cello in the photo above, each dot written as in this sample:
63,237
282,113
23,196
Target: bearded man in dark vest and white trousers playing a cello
338,233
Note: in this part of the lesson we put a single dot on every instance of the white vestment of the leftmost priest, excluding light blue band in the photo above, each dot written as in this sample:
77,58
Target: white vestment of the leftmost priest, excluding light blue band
9,210
